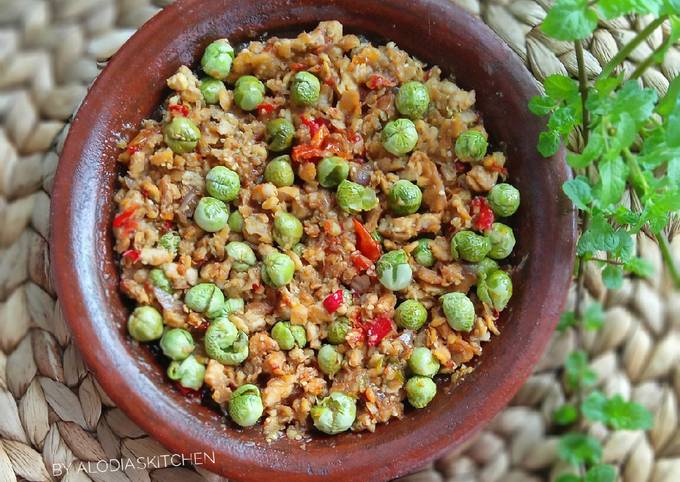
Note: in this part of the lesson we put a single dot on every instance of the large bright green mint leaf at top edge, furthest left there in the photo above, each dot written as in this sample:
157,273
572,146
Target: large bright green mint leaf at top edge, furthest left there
570,20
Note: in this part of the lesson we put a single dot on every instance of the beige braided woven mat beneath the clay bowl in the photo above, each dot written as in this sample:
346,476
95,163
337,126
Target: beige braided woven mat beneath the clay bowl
52,412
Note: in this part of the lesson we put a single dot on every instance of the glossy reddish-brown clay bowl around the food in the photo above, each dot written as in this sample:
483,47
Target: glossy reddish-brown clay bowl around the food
130,89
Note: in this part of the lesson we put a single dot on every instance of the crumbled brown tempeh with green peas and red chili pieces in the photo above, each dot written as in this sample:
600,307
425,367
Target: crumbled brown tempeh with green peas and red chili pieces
309,232
